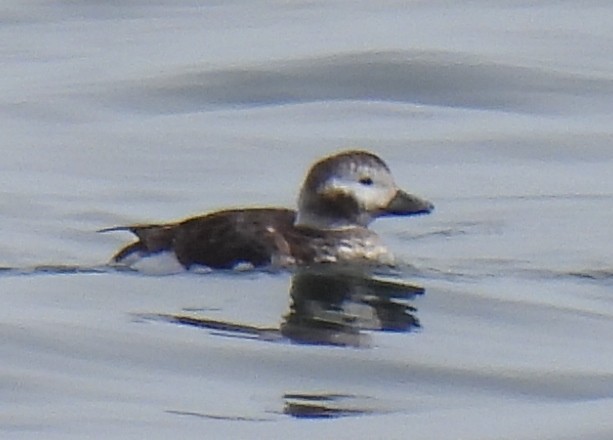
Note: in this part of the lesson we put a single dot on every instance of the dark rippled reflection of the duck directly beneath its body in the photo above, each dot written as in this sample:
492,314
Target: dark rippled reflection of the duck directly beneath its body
329,306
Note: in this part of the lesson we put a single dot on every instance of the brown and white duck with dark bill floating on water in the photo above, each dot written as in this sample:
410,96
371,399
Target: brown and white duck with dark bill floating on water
341,195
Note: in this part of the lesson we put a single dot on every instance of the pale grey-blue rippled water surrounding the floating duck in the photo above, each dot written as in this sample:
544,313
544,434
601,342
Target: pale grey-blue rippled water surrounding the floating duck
120,113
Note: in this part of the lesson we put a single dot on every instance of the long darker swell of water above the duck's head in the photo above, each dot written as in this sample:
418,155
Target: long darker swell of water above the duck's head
433,78
